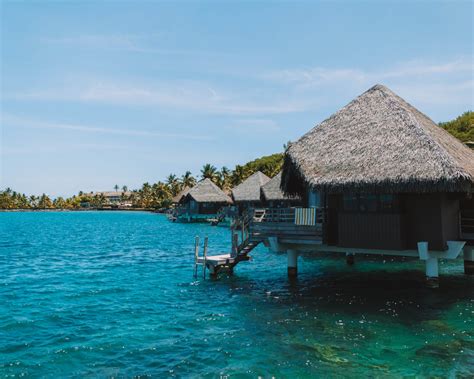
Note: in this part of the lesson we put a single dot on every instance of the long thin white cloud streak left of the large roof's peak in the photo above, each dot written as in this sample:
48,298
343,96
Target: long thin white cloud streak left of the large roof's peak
190,96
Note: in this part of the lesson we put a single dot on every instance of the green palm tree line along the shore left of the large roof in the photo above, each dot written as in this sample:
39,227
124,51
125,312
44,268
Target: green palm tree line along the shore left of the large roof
149,196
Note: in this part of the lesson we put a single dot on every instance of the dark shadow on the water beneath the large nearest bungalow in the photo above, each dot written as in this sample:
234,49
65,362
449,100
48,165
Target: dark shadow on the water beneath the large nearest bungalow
402,294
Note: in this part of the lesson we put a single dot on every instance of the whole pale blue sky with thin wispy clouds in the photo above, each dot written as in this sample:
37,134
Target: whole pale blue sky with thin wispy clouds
95,94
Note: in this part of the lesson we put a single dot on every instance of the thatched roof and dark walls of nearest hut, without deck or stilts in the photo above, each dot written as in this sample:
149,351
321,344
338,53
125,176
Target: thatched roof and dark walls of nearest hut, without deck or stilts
386,174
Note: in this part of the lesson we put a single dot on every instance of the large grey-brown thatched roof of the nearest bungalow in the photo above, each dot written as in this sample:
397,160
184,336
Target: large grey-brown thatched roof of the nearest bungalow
378,143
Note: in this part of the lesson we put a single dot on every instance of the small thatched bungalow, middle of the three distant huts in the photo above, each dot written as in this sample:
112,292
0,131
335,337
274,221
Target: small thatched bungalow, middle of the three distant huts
248,193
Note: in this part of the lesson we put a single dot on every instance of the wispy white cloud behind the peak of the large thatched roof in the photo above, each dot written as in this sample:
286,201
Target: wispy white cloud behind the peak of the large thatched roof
432,85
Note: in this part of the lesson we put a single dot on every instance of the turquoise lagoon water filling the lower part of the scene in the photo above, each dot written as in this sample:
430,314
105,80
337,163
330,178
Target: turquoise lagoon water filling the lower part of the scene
112,294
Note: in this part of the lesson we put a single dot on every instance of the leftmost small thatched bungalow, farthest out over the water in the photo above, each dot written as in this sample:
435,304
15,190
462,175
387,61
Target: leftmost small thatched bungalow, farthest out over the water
202,203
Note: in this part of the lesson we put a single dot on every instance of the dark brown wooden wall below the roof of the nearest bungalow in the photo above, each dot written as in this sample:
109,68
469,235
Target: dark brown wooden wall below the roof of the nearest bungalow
422,217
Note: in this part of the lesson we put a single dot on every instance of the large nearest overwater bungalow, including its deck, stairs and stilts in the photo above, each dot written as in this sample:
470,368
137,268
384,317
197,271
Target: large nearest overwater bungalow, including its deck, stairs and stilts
377,177
